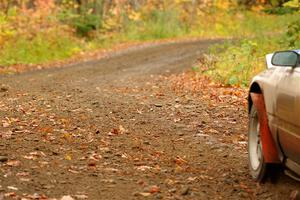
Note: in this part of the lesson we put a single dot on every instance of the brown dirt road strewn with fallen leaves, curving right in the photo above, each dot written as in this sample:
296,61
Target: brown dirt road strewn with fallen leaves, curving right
116,128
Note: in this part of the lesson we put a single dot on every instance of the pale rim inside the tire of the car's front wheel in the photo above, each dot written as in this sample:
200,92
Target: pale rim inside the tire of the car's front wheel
255,147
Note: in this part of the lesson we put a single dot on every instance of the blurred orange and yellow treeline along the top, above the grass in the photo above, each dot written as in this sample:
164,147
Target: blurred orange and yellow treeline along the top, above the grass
85,16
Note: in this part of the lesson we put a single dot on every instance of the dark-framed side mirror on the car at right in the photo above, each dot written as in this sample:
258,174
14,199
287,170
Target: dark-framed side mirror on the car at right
285,58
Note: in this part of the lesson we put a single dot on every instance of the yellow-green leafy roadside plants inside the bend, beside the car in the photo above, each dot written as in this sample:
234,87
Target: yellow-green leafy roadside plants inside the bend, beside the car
235,63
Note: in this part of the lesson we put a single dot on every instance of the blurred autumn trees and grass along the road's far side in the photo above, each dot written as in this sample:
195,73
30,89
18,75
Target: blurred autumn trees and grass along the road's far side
39,31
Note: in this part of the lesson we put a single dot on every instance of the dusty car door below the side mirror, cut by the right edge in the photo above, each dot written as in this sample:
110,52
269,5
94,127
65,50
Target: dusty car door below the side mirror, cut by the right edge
287,111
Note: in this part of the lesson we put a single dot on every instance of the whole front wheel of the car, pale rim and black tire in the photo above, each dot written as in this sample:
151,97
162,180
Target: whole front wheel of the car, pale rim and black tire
258,168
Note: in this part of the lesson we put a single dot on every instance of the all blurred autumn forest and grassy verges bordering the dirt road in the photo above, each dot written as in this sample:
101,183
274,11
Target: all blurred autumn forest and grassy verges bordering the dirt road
37,32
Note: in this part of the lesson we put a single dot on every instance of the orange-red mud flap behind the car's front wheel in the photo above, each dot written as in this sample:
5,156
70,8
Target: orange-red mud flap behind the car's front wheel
270,151
